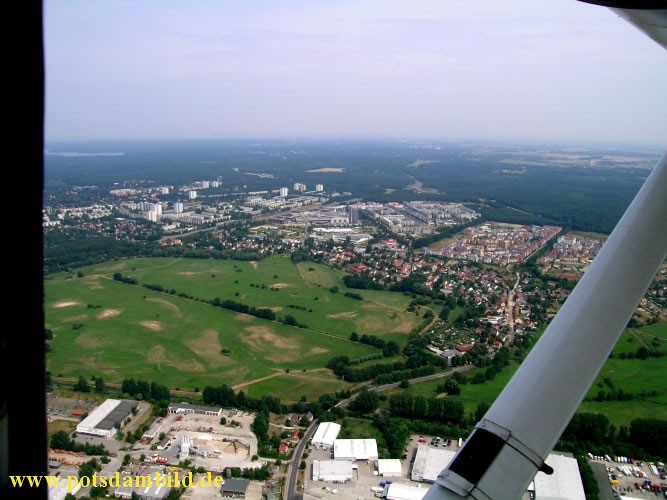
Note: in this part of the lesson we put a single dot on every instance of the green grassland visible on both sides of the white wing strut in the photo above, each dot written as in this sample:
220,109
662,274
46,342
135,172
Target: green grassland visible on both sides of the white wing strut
631,375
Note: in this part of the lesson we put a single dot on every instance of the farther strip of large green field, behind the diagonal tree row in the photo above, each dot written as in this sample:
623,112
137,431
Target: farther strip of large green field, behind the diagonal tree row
278,284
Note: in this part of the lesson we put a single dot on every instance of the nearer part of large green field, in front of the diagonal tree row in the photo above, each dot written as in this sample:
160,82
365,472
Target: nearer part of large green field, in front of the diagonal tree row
140,333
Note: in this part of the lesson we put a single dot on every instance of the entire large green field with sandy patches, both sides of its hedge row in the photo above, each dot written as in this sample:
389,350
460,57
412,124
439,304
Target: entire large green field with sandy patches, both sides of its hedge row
137,332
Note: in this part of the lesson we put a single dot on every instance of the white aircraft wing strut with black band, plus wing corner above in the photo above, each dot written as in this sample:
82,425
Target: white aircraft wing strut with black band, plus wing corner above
511,442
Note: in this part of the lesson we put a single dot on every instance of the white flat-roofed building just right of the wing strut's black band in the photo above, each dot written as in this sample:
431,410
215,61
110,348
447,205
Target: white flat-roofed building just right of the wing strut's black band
564,484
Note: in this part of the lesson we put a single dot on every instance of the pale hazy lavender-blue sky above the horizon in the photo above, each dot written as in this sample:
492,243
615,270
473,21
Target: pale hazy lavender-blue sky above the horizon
520,70
